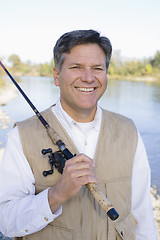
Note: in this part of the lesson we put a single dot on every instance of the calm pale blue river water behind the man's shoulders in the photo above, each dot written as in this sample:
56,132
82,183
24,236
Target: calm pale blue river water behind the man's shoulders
139,101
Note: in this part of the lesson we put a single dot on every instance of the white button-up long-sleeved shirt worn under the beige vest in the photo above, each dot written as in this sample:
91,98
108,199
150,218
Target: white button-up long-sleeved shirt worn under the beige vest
17,190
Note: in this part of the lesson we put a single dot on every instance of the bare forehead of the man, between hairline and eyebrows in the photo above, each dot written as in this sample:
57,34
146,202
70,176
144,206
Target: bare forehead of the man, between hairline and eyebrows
86,52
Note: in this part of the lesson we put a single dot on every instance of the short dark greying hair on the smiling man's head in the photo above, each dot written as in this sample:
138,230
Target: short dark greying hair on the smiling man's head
71,39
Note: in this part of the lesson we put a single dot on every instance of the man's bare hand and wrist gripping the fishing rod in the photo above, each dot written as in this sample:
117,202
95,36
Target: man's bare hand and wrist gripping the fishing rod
77,172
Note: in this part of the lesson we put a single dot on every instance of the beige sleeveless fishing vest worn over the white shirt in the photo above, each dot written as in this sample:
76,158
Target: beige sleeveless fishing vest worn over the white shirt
82,218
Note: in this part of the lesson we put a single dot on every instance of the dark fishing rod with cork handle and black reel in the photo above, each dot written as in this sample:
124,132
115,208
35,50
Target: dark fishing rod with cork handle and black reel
66,154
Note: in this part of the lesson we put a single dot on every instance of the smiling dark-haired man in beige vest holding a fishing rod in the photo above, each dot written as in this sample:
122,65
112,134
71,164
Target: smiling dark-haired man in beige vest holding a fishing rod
109,152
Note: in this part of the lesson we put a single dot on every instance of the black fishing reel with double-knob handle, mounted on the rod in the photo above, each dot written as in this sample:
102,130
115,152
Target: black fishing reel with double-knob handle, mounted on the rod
56,159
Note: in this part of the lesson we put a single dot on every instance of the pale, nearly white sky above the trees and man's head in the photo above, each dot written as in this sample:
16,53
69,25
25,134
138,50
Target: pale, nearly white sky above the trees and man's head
30,28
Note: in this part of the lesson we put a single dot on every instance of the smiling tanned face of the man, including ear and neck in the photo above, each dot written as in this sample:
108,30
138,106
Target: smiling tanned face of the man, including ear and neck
82,80
